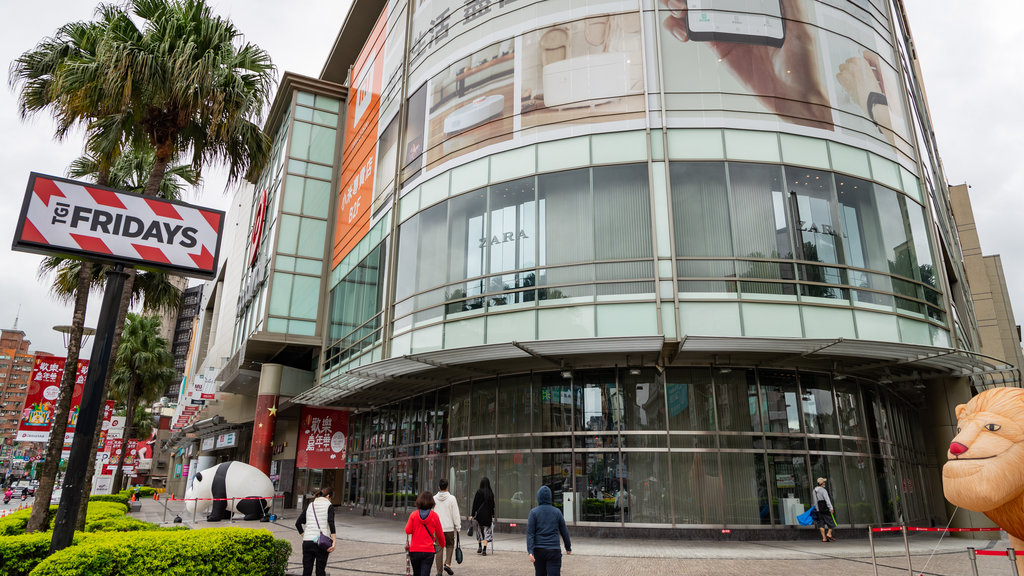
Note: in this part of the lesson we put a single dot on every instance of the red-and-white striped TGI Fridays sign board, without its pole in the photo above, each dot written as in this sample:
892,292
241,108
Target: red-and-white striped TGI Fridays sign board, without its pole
70,218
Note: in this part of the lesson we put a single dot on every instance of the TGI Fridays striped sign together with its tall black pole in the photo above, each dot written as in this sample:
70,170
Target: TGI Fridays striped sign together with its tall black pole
106,226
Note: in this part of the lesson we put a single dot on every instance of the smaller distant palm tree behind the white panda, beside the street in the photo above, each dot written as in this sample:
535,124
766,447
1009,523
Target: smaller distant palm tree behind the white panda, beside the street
143,371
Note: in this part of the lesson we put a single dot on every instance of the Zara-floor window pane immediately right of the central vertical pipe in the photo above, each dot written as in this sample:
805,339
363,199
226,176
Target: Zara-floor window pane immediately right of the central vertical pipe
701,210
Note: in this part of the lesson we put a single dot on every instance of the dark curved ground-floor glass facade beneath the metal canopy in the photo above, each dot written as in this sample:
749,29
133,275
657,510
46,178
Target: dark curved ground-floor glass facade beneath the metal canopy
692,447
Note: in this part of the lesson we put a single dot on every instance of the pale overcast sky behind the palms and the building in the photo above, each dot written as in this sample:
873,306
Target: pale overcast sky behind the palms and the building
971,61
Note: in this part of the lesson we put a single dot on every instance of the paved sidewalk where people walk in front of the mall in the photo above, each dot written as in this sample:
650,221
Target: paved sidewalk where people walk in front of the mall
374,546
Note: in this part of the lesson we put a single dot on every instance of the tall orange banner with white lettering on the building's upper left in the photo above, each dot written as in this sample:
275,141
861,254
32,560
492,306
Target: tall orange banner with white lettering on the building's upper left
360,155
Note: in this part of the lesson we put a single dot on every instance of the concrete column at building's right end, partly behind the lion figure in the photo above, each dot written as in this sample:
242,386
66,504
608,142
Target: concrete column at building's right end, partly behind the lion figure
943,397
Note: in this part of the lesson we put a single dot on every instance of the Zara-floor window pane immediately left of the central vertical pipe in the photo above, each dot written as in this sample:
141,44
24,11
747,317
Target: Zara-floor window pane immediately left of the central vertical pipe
622,213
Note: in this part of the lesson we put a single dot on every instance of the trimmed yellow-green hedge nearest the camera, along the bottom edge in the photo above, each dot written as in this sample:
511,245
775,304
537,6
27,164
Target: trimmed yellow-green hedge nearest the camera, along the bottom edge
212,552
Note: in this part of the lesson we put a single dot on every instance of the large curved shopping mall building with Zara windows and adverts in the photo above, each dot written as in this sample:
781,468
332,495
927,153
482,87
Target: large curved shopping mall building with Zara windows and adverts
674,266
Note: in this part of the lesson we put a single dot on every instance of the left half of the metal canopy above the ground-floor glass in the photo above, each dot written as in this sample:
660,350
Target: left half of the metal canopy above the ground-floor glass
408,376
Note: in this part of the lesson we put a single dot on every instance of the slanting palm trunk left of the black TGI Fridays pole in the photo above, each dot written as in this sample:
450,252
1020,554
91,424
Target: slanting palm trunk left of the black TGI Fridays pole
41,506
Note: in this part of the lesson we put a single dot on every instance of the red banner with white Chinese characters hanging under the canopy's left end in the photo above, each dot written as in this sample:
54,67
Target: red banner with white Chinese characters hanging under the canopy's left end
323,439
